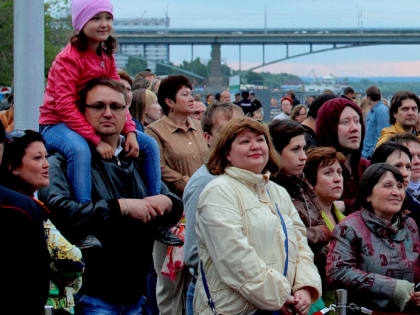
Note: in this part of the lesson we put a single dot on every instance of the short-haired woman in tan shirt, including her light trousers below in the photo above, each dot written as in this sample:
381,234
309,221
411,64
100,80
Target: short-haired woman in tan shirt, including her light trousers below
183,150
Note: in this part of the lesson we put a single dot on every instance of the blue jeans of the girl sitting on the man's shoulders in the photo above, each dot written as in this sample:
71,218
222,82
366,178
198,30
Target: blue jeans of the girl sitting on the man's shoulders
74,147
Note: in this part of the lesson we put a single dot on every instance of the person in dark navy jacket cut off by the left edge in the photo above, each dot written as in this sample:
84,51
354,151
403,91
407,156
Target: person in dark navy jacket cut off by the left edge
25,258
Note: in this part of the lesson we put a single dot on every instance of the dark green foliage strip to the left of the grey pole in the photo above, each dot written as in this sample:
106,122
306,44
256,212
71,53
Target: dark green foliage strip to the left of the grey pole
6,43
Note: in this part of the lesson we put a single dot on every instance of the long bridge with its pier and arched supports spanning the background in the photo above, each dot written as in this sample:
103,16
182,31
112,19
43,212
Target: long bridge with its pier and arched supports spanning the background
336,38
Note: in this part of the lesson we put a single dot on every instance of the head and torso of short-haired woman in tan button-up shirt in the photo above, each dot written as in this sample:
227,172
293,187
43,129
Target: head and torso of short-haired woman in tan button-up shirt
180,137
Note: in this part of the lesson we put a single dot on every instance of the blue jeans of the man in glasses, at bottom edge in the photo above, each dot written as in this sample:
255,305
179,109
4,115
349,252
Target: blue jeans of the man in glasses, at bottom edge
88,305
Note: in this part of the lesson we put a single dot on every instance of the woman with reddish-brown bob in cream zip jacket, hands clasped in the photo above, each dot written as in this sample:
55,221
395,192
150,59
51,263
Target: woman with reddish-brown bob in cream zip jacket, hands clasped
249,262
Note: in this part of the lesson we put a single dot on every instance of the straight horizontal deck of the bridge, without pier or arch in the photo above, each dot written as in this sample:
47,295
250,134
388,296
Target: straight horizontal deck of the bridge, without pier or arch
177,36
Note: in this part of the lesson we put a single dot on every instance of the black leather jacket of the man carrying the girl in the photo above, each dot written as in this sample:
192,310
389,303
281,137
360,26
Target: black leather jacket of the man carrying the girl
116,270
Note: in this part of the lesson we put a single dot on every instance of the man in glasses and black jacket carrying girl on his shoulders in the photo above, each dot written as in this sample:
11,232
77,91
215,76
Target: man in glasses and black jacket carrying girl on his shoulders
121,218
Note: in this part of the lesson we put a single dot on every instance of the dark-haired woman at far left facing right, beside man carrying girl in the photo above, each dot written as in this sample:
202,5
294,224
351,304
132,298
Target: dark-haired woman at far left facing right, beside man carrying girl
25,170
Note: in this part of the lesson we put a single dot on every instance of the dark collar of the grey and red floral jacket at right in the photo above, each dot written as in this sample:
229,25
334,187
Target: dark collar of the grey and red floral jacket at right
394,232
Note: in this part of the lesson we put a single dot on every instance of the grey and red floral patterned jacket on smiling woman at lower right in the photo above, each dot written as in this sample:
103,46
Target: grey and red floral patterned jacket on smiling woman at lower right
367,257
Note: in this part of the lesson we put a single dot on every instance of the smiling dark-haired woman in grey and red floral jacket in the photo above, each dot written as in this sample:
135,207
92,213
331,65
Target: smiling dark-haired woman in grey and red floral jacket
374,252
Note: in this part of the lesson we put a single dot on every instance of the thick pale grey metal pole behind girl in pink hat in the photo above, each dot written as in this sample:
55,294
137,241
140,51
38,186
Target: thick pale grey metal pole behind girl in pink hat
28,55
